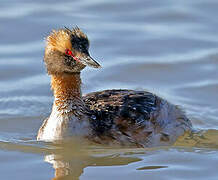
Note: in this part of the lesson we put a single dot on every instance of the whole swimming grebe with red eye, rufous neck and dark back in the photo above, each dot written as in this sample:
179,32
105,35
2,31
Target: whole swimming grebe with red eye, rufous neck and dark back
123,117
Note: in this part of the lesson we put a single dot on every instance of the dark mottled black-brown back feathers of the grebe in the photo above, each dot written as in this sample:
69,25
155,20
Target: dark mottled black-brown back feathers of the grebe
120,109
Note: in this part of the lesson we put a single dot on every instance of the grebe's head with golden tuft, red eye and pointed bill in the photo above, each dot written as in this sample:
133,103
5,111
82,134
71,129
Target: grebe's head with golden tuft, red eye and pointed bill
67,52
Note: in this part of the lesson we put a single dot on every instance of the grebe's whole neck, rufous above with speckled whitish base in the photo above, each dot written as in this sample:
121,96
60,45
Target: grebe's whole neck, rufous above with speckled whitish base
67,92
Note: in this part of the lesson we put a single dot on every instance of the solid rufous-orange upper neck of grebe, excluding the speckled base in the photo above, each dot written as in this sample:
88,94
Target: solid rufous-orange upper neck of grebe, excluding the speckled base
66,86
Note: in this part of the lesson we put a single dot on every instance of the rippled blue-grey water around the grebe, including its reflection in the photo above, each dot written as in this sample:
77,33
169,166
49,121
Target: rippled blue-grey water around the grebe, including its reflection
168,47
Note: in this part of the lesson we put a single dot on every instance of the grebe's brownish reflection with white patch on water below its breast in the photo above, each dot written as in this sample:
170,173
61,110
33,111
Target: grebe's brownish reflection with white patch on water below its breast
69,162
